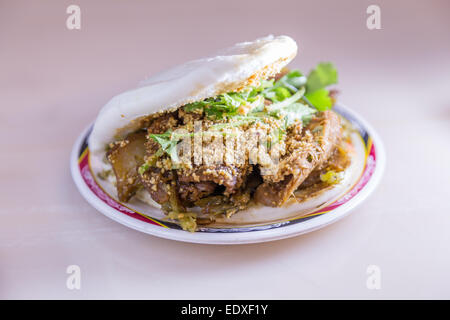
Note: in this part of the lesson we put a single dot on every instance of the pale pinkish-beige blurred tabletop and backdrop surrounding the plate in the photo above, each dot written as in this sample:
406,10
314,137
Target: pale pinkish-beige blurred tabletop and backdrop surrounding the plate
54,81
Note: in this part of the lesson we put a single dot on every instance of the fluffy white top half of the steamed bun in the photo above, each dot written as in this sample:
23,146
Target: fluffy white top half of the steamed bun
232,69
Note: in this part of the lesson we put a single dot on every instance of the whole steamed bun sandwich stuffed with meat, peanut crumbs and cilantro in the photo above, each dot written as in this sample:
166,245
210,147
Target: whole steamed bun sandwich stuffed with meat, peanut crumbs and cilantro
221,135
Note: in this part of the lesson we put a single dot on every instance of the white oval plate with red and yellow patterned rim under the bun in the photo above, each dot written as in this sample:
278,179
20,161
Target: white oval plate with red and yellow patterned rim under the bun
270,224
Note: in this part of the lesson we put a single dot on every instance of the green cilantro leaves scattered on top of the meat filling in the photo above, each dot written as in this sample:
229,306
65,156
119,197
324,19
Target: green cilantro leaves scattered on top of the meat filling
294,97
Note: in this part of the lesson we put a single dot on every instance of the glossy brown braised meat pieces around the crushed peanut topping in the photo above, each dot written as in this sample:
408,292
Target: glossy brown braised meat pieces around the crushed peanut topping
225,188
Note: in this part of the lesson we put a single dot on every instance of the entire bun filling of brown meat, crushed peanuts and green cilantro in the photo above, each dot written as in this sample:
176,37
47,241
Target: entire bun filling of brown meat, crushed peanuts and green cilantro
262,145
